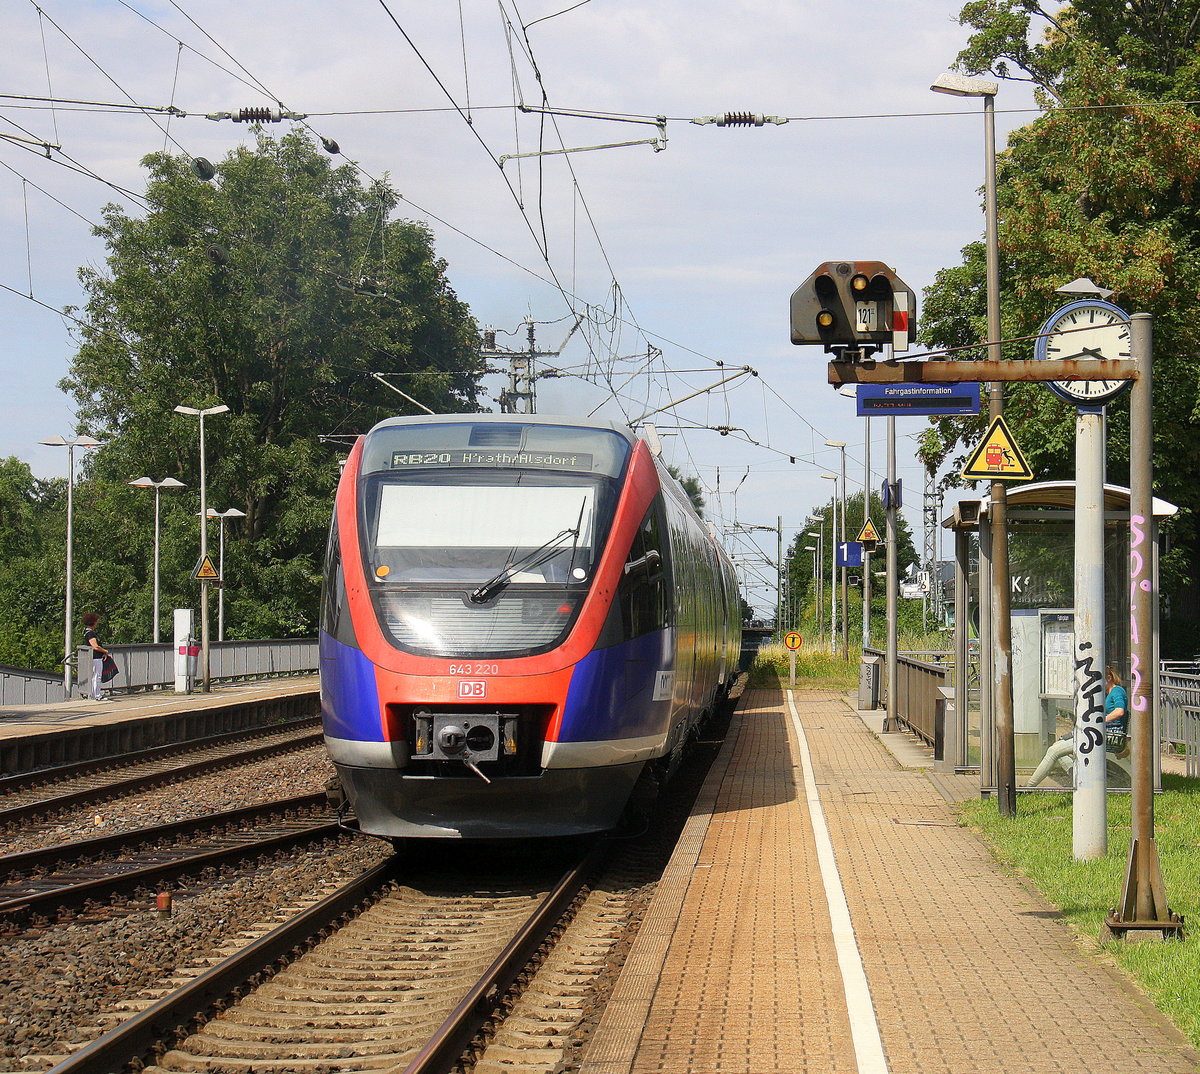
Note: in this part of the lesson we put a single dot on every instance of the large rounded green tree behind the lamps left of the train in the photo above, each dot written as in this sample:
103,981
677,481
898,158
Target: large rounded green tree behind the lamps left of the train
280,289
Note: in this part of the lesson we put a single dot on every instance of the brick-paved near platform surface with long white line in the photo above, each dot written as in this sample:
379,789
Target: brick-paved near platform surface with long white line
825,913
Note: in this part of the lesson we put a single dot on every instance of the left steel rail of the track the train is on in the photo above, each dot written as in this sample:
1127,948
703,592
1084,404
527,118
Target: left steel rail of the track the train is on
142,1034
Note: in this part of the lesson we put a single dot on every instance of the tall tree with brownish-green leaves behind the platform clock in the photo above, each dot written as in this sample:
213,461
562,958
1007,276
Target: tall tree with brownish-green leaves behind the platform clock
1103,185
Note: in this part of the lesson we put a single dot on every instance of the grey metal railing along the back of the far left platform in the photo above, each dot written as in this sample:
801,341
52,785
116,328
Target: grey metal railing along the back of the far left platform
153,668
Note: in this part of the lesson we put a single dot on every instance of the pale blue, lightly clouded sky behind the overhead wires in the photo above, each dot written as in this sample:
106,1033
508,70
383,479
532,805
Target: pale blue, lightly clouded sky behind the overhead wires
693,250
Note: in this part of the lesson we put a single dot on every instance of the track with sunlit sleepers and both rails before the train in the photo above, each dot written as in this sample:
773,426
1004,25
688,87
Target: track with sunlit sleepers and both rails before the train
407,981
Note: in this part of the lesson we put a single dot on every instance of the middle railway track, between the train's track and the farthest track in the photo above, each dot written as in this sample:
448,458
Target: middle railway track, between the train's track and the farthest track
73,875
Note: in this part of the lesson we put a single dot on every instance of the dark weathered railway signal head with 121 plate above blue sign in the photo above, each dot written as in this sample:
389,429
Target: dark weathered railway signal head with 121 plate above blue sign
856,307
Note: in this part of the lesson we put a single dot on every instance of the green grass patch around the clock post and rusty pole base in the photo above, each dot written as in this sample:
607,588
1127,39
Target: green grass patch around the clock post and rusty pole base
1037,844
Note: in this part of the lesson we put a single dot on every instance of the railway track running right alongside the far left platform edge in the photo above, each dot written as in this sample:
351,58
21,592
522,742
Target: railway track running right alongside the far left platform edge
44,794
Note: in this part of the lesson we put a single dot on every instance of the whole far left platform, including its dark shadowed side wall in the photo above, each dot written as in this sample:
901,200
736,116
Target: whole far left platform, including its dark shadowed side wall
79,729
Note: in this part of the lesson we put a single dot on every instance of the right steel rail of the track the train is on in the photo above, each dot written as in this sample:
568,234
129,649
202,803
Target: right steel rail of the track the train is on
453,1037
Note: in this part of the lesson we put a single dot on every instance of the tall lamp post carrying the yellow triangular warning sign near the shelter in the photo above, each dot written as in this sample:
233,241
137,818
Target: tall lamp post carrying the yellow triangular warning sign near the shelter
998,511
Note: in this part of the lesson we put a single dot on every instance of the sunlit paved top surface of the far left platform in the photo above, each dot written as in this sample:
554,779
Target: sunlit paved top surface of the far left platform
20,721
